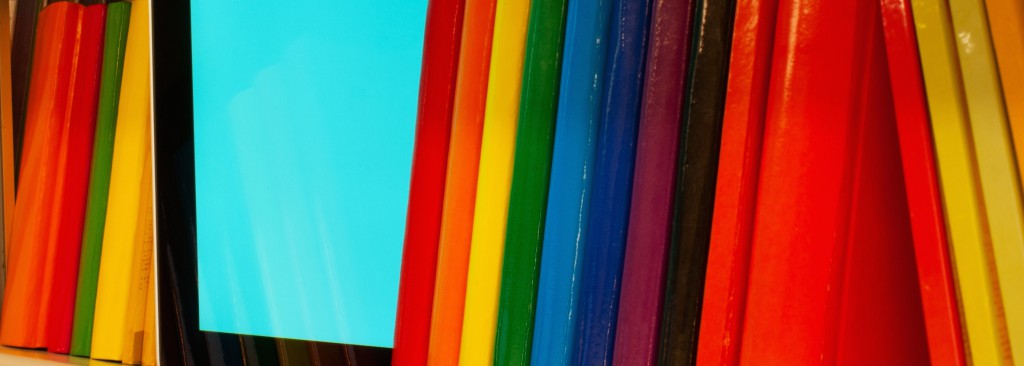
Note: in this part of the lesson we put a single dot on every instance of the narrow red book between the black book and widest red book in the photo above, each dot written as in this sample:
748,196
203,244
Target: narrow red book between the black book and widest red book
736,193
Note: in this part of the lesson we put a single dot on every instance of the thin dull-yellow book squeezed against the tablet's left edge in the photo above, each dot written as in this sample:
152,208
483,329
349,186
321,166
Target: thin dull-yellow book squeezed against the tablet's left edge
135,335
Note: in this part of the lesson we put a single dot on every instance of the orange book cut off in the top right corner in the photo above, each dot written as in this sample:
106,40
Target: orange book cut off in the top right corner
1007,23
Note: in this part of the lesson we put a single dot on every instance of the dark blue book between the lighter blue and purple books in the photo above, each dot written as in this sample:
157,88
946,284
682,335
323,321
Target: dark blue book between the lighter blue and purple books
610,210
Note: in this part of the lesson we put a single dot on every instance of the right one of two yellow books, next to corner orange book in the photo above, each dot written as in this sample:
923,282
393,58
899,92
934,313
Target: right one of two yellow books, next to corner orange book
997,165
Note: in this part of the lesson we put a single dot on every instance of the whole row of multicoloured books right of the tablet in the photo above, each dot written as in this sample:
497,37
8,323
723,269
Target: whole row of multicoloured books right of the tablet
717,182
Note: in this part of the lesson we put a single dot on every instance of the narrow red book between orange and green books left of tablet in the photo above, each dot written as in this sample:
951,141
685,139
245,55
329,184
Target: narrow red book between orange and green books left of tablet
76,161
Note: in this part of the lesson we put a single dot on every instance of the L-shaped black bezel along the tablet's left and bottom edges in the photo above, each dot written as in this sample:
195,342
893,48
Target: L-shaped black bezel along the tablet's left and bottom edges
181,341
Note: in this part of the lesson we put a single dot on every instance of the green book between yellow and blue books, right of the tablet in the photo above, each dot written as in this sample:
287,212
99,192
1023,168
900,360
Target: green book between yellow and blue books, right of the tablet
528,204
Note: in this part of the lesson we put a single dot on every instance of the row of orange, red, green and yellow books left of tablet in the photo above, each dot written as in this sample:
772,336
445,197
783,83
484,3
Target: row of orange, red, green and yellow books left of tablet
77,180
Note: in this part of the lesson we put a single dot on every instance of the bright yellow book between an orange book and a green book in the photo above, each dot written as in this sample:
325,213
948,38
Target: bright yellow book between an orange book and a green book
494,183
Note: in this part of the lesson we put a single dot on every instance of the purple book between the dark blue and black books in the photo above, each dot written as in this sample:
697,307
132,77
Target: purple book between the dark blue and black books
654,184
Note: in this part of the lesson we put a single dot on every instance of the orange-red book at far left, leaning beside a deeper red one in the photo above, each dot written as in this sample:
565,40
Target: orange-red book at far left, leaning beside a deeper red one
31,263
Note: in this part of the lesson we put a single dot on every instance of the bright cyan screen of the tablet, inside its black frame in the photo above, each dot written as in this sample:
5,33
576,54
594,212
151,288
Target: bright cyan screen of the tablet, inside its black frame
305,120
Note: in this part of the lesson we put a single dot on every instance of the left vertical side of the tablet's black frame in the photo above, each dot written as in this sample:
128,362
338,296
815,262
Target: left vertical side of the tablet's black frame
179,342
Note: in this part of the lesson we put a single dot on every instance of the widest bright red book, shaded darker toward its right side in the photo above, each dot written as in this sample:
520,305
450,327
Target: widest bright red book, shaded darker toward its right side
833,277
